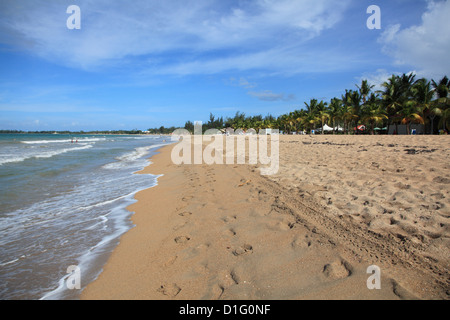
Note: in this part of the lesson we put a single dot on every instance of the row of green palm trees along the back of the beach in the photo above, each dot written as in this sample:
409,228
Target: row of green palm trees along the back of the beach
403,99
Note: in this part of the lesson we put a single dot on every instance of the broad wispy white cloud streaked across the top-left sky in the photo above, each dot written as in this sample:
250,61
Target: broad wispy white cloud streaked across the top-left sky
189,36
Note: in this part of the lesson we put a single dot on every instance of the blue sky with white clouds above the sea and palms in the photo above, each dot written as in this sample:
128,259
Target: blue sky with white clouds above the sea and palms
142,64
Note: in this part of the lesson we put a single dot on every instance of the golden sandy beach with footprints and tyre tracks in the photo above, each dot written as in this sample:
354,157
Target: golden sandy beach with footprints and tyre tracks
337,205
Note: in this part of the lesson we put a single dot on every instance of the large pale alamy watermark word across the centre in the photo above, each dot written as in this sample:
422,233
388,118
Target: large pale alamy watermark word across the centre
228,148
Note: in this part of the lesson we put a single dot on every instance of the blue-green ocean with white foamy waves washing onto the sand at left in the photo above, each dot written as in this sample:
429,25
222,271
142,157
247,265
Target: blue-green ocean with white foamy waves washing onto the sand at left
63,203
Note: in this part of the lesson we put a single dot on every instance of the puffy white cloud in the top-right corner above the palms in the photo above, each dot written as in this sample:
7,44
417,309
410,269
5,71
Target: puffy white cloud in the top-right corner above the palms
426,46
